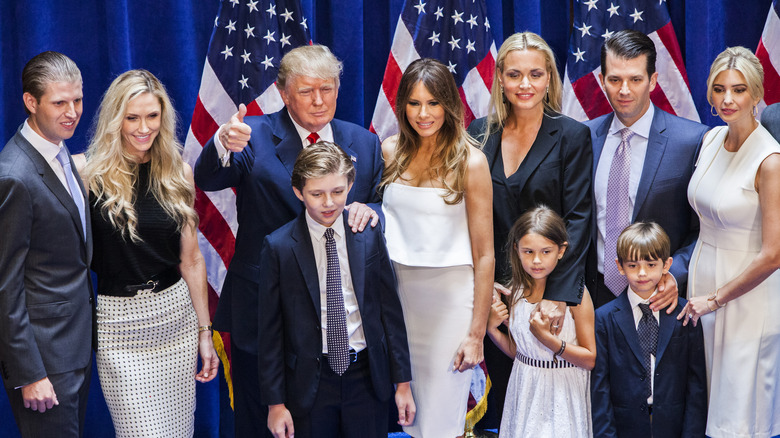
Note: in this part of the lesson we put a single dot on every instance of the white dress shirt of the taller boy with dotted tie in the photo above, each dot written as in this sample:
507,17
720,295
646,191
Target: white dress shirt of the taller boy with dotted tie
357,340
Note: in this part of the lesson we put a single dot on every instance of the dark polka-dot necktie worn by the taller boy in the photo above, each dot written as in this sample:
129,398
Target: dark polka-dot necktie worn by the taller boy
338,341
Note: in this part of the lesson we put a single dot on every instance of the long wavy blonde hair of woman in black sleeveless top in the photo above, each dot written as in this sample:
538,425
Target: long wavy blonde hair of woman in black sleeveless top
112,172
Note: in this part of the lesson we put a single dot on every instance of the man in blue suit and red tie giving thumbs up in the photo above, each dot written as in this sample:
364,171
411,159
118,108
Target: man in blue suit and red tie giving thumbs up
256,156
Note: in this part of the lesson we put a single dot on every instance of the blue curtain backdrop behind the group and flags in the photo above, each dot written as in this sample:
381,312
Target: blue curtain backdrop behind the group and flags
170,38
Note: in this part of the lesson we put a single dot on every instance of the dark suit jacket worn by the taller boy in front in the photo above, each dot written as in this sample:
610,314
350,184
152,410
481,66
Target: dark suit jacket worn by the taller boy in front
290,335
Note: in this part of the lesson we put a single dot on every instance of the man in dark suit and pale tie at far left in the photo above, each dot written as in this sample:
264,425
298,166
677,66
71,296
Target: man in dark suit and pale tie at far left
46,304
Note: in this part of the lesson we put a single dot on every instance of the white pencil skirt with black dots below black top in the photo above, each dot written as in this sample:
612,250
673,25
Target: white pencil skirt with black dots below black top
146,359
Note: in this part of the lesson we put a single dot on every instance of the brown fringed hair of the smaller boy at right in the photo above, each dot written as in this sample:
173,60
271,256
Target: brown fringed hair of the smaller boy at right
643,241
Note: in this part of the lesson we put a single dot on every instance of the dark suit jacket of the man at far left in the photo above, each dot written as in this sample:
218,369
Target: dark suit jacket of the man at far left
46,302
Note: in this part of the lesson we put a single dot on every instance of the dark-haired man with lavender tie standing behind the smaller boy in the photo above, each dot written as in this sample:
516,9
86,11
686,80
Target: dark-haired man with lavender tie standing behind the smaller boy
663,151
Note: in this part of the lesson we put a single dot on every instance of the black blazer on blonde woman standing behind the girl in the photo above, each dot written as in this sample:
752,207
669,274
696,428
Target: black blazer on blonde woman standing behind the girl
555,173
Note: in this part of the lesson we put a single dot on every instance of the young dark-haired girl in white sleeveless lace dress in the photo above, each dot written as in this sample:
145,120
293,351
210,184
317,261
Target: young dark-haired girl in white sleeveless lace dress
549,390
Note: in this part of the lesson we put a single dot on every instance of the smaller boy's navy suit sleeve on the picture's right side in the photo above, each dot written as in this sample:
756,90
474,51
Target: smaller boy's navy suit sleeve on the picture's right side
695,419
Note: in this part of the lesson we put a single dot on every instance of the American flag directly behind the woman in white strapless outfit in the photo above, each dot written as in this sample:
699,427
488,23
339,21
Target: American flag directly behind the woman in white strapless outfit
455,32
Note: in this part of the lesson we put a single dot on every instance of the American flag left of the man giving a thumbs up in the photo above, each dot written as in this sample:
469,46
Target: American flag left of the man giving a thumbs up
249,39
